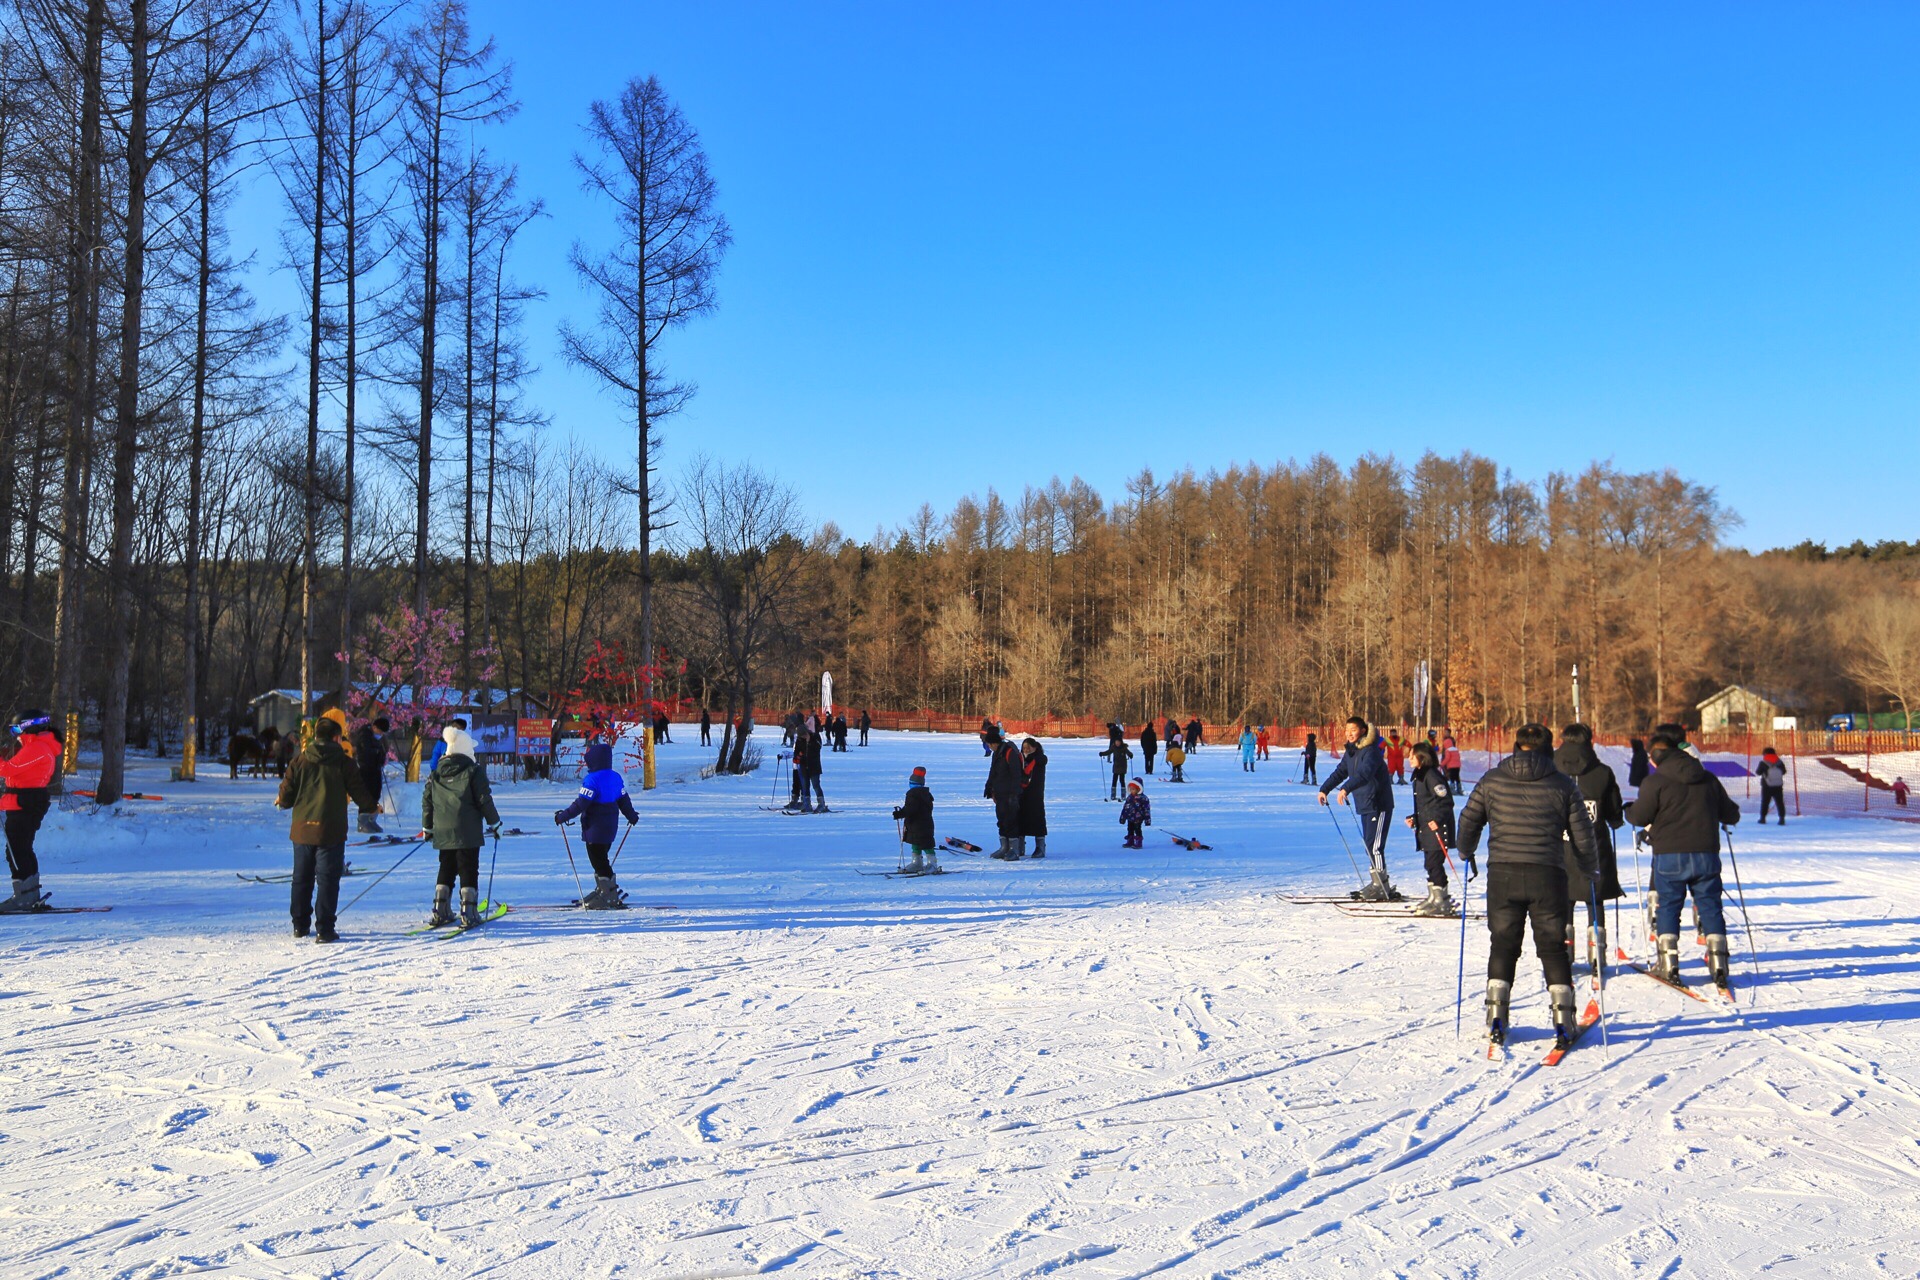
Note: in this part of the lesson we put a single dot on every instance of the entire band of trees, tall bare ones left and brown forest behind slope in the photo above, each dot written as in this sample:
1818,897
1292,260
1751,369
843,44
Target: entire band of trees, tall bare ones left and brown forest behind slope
203,502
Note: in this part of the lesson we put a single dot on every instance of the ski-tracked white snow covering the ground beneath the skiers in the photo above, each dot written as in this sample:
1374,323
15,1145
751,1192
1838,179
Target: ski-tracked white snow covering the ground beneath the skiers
1109,1064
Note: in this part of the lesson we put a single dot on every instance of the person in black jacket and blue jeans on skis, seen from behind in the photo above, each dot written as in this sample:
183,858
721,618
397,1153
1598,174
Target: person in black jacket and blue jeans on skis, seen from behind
1683,807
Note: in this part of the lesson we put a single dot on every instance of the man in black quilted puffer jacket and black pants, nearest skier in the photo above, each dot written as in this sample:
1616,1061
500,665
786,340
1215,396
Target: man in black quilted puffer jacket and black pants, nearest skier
1531,809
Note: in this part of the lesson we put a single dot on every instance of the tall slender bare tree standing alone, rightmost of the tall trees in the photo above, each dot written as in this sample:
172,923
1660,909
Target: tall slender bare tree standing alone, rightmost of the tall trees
660,273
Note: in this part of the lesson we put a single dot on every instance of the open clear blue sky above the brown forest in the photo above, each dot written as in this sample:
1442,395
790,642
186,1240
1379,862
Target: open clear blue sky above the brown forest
990,245
